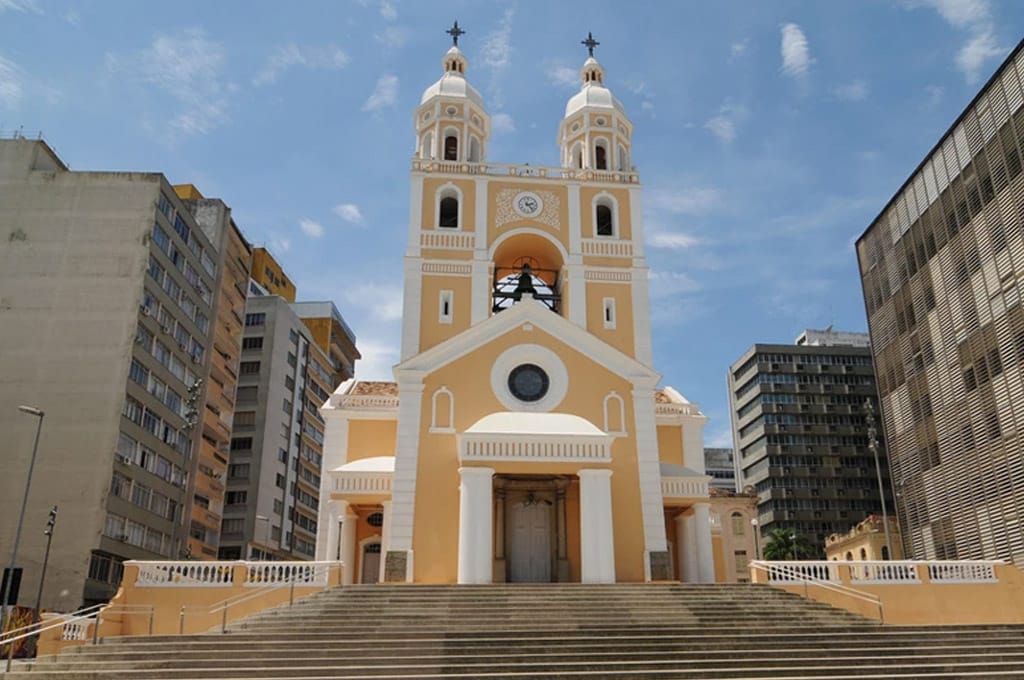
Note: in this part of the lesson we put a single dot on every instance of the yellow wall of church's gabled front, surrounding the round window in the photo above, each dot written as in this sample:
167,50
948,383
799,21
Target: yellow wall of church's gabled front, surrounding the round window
437,520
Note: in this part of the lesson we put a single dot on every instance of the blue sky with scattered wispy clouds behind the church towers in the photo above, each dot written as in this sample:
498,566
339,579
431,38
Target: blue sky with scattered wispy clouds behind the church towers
769,134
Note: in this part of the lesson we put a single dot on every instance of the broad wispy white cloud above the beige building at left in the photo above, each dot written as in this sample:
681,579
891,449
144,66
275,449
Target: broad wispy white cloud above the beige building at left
188,67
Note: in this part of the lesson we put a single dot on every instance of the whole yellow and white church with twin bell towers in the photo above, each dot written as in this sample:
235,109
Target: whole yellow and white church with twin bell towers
525,438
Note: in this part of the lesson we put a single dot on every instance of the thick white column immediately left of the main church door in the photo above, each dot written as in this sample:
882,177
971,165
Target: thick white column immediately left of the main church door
476,526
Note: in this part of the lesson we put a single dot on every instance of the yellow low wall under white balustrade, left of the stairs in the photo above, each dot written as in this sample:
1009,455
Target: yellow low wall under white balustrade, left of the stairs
141,609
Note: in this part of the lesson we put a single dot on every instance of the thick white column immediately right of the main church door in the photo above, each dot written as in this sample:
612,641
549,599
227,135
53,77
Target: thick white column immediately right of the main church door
598,545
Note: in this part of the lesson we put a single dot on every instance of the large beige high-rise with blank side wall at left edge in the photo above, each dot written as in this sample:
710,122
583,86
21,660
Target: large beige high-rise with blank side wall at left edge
108,288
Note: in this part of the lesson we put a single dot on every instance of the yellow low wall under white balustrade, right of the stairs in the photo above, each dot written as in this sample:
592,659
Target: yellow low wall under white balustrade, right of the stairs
922,604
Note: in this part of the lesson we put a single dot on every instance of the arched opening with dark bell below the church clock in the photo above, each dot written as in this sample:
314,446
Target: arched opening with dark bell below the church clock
525,265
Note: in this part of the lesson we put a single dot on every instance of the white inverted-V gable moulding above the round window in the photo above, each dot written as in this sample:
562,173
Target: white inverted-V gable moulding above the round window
546,320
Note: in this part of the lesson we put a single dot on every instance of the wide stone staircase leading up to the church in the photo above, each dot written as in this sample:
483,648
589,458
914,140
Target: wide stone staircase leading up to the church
552,631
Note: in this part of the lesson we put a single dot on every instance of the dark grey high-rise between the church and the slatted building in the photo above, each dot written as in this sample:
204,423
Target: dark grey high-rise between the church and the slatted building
798,421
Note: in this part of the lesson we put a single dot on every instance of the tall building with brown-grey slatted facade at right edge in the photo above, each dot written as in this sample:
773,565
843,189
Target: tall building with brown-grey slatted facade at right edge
942,270
